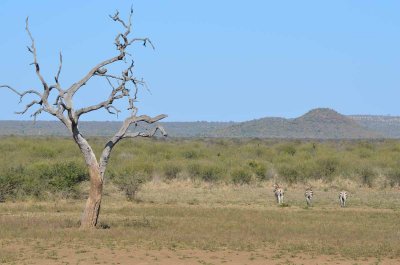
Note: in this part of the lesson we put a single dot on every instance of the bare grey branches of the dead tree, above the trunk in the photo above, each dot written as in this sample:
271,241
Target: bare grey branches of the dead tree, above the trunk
121,88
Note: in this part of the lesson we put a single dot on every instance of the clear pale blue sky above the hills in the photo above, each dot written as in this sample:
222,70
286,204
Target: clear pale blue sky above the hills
216,60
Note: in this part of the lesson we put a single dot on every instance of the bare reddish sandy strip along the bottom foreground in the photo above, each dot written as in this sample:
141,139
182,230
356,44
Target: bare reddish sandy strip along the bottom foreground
87,255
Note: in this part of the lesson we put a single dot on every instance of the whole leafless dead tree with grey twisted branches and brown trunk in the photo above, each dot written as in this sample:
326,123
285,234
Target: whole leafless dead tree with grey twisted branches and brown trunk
122,86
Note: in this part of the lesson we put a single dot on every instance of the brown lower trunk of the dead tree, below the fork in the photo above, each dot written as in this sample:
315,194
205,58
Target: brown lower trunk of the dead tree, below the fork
92,209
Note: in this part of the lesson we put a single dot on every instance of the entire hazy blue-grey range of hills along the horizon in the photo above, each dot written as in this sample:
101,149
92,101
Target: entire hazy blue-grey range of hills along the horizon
319,123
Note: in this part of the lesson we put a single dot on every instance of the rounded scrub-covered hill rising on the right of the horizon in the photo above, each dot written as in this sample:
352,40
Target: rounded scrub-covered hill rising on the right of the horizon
316,124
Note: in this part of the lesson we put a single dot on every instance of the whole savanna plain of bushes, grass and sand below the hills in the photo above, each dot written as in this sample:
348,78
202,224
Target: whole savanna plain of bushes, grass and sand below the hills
202,201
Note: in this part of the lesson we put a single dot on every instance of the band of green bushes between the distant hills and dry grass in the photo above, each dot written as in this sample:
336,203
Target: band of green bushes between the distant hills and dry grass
38,167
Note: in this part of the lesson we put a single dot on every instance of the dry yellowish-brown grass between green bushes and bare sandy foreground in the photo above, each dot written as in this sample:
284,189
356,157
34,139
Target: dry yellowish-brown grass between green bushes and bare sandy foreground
185,215
